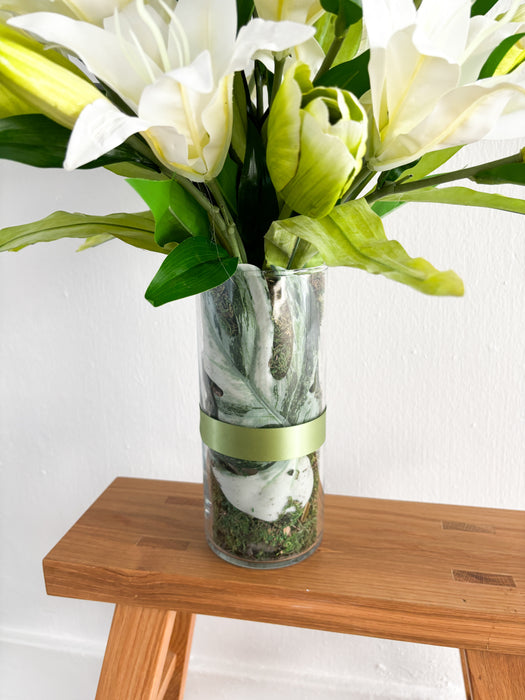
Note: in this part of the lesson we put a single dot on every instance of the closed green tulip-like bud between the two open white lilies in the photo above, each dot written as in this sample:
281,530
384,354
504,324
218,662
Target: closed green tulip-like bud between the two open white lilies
316,143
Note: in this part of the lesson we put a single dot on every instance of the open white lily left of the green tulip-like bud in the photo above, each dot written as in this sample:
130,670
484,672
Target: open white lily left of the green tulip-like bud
175,74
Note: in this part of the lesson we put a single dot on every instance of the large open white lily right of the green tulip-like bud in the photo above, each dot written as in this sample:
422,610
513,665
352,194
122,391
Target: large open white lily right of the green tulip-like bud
424,93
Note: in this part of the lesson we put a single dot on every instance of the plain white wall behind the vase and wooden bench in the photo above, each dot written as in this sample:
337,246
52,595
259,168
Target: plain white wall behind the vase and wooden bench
426,399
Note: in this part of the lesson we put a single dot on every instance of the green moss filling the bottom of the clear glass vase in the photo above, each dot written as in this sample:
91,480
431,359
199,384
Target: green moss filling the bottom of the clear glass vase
252,539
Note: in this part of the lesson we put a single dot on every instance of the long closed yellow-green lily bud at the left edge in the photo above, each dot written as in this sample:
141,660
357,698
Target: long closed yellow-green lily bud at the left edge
42,79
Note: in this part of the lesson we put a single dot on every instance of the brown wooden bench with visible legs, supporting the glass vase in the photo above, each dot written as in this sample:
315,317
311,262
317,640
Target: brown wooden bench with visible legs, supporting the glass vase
434,574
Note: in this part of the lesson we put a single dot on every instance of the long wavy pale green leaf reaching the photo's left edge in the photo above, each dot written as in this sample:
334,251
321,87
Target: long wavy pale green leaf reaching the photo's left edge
135,229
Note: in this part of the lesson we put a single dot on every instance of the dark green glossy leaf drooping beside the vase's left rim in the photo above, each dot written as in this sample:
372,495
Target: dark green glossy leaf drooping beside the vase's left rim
195,266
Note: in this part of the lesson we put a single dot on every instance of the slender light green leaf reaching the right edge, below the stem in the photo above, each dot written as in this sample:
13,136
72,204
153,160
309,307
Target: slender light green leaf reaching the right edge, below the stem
459,195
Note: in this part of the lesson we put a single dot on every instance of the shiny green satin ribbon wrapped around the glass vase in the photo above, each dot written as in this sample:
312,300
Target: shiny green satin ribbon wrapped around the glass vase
263,444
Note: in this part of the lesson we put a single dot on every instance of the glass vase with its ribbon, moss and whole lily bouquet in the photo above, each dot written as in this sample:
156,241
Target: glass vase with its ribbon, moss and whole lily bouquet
268,139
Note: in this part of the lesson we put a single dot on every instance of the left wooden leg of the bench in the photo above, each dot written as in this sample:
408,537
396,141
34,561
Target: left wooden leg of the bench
147,655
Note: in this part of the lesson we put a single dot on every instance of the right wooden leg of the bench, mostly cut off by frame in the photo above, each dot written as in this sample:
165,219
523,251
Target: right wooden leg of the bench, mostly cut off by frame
490,676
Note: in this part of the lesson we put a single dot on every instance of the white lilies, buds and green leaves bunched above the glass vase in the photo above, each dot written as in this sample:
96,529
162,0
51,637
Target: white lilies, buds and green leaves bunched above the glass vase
277,132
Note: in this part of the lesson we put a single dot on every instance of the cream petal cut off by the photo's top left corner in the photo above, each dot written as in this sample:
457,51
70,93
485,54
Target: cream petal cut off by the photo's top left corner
93,11
